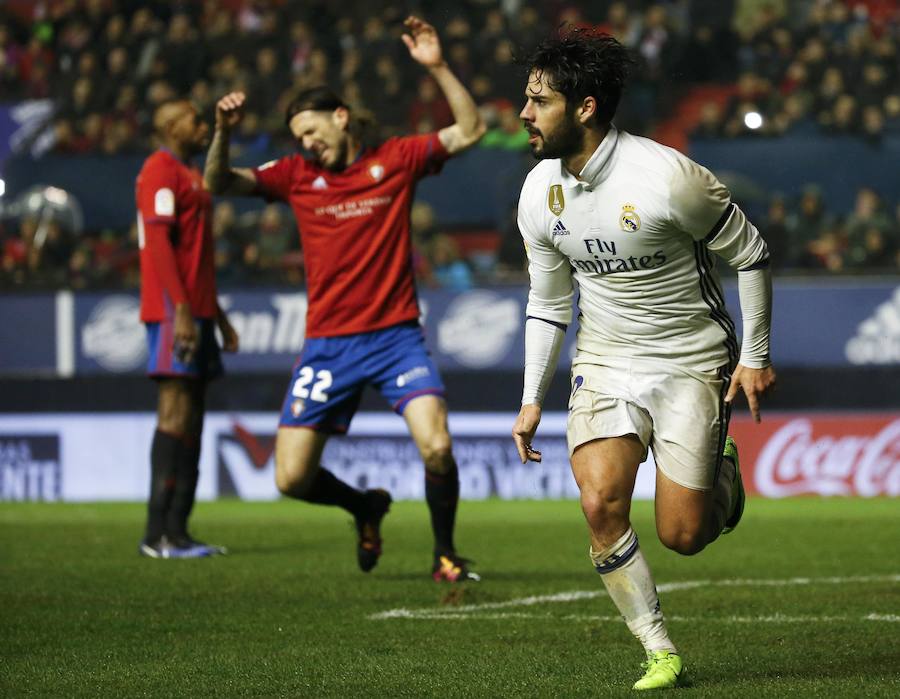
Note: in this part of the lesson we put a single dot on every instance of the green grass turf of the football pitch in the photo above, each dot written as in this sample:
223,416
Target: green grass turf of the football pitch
287,614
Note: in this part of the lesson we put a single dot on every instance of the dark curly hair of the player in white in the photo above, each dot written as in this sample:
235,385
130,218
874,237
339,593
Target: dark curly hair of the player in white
583,63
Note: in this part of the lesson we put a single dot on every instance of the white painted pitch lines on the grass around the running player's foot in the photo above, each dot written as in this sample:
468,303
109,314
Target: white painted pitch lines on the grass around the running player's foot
466,611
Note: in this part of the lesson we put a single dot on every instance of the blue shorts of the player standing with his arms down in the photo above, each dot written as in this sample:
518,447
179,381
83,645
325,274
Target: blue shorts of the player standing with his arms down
163,362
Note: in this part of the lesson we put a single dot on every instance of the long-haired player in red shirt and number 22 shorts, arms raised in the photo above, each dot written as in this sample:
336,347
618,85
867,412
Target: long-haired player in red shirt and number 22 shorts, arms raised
352,202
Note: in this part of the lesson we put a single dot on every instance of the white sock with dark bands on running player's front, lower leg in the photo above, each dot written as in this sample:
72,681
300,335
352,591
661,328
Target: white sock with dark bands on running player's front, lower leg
630,585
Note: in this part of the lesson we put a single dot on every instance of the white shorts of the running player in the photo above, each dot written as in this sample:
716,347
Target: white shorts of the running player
678,413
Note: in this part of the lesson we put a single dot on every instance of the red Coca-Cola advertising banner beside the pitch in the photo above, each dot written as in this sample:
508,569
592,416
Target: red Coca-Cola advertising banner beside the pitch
820,454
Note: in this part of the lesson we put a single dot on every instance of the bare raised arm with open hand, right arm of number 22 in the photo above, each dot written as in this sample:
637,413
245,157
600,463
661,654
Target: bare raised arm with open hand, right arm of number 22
425,48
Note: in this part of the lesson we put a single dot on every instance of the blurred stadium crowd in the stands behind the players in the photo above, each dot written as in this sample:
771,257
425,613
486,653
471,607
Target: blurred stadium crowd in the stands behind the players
815,67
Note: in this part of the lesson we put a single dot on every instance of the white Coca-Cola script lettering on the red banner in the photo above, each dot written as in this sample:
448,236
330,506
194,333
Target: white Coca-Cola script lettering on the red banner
795,462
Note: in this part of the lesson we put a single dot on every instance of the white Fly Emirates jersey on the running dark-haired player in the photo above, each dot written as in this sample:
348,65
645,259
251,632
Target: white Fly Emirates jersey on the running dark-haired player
635,230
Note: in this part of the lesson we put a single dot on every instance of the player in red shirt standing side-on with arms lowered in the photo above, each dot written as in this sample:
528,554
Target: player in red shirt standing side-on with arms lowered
180,309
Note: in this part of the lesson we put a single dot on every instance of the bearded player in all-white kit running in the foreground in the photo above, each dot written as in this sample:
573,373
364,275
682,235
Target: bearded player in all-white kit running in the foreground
658,363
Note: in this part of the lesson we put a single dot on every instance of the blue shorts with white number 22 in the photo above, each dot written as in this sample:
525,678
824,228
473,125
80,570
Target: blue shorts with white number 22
328,379
